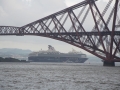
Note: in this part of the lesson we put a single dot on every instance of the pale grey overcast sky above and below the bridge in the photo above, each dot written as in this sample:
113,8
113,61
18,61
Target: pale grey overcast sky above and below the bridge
21,12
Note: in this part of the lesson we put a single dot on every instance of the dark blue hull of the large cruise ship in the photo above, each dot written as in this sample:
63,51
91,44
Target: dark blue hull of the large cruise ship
57,59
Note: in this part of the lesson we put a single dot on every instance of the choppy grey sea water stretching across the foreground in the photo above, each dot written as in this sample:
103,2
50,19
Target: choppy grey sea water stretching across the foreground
91,75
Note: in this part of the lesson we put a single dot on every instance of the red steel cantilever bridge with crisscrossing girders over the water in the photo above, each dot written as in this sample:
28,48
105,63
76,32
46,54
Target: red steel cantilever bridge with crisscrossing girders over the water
84,25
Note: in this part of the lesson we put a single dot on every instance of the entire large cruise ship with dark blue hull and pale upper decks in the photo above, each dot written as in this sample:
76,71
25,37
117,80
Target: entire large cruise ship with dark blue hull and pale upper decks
51,55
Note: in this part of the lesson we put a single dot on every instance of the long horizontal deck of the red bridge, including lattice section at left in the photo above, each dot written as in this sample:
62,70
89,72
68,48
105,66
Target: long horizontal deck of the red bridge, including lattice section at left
11,30
